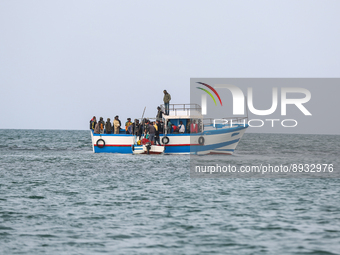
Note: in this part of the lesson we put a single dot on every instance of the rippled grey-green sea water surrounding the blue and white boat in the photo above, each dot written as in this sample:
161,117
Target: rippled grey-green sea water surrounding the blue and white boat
57,197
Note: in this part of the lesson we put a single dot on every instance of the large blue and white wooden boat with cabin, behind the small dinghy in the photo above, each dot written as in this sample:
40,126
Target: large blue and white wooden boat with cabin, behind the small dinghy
201,136
